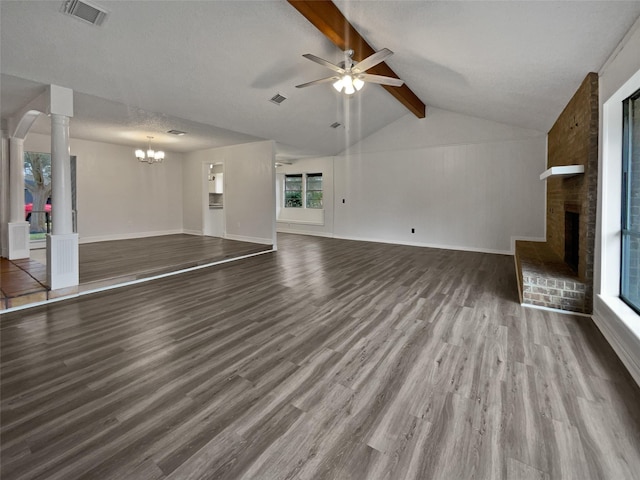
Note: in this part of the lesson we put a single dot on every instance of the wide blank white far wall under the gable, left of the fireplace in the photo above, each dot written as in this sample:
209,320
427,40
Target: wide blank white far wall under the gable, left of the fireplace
461,182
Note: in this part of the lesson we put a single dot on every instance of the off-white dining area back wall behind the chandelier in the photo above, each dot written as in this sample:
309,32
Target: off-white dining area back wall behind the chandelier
117,196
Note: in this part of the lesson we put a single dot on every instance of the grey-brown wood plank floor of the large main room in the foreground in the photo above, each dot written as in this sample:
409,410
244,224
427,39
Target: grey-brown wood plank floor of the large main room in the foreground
327,359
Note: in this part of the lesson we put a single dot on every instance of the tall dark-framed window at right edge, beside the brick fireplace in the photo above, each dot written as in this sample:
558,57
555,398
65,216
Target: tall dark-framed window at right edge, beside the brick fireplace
630,261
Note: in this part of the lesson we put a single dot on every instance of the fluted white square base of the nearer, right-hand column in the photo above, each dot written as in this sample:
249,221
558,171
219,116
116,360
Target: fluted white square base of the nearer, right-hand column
63,269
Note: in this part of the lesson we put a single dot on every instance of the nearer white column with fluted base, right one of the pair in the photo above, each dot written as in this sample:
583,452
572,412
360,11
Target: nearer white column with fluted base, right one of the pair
62,244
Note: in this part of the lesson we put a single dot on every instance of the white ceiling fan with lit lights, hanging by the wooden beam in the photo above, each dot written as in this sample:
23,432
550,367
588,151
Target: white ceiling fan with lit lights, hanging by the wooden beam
351,76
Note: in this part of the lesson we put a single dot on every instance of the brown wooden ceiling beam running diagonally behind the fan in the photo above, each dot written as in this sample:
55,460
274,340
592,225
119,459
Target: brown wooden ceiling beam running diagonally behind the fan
327,18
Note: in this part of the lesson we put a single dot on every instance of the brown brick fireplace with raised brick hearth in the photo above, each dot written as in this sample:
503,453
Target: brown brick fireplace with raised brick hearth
558,273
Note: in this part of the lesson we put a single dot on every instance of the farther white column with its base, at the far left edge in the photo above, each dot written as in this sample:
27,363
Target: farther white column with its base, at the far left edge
18,231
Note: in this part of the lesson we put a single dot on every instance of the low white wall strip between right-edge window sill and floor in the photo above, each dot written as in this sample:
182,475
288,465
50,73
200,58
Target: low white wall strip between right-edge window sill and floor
623,341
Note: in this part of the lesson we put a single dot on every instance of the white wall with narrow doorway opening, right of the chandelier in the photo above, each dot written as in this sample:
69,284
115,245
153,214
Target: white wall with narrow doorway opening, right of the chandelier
249,190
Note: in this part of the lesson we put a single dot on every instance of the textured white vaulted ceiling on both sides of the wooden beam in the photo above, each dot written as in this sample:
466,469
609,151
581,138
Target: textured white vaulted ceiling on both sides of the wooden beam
210,67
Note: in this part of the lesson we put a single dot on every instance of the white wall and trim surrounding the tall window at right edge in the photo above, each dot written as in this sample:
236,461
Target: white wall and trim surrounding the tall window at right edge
619,78
